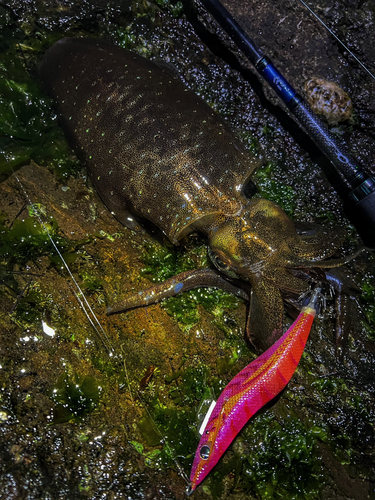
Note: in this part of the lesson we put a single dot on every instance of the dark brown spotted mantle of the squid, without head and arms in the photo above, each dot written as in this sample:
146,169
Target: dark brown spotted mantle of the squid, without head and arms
151,146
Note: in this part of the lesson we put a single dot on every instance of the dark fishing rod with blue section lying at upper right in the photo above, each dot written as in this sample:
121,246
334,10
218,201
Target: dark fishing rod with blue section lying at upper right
360,196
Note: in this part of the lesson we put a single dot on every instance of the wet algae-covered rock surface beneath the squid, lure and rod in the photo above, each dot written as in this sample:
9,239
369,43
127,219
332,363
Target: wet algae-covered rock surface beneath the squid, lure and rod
74,421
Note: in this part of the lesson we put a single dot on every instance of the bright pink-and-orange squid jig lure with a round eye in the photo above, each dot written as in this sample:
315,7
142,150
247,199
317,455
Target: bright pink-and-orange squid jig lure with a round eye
249,391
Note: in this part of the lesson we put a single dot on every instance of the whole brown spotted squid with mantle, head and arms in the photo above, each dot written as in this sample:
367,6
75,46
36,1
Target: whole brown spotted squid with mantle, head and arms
154,149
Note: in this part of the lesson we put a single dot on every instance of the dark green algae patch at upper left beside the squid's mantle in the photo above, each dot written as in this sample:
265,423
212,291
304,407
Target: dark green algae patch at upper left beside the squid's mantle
28,126
